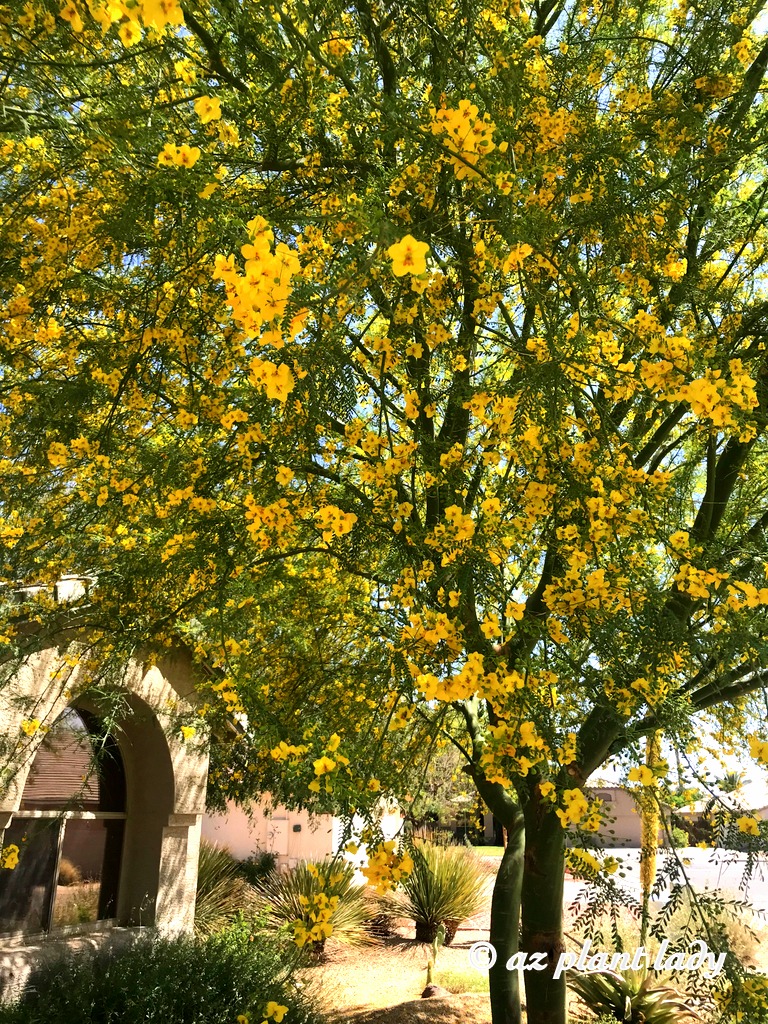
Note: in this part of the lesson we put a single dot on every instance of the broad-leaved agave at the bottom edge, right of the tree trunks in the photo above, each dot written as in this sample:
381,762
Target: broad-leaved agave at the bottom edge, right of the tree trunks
631,998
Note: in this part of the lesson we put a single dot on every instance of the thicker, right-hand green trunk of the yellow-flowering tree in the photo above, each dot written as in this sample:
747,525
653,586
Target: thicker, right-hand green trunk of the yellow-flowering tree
542,911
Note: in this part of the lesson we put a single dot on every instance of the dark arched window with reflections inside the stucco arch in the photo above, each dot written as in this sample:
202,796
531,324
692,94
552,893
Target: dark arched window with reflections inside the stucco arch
70,830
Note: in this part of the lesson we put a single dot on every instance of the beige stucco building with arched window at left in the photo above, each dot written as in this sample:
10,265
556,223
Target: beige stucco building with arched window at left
100,828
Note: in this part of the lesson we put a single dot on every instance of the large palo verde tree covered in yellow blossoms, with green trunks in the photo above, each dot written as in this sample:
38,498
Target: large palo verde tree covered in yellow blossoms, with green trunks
458,310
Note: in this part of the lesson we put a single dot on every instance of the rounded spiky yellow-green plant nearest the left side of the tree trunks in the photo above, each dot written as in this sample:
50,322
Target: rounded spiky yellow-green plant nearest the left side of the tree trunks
445,888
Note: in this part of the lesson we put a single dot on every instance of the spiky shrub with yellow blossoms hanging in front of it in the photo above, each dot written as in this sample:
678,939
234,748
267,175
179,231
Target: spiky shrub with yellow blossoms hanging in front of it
314,895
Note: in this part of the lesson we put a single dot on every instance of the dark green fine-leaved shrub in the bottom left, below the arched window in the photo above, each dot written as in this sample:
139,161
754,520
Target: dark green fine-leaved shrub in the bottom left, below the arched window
158,982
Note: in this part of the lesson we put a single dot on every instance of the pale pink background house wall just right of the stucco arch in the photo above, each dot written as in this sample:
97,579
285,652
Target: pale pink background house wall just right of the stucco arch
290,836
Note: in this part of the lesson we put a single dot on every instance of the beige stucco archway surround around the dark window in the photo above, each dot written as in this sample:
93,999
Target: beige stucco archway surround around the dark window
166,776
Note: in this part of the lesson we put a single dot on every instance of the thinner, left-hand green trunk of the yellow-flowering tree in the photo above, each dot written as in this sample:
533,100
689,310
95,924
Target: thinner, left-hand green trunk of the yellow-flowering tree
505,928
